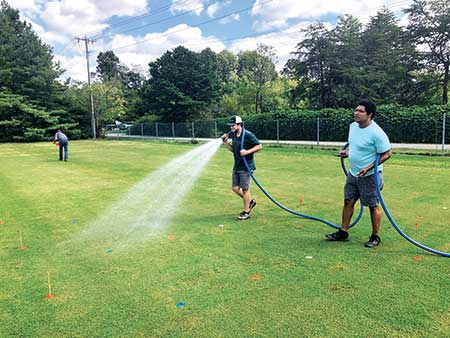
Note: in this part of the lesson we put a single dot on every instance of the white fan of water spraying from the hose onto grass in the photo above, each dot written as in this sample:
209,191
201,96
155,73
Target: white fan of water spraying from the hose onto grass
147,208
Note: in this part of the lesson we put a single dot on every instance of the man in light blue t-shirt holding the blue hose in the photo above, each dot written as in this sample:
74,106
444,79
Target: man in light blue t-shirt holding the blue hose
366,139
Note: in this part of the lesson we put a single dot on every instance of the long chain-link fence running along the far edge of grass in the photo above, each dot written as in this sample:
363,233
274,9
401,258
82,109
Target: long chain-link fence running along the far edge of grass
414,130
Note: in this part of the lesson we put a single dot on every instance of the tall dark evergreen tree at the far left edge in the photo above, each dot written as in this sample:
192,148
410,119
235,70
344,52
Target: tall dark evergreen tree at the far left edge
31,99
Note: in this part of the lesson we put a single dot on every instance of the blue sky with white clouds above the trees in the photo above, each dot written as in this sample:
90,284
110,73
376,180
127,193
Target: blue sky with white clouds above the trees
139,31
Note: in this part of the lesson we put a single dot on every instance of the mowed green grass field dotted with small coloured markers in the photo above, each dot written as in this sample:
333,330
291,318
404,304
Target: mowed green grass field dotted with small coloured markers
270,276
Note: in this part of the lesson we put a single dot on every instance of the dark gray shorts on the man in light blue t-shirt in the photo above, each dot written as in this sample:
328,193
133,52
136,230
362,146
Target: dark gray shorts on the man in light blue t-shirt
363,188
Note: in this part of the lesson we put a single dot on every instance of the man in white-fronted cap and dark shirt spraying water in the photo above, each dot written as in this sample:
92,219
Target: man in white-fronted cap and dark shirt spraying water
240,175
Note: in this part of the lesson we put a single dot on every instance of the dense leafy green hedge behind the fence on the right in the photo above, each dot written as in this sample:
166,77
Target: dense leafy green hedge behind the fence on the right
402,124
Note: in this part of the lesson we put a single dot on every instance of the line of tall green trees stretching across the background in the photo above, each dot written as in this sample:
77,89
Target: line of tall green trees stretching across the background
329,68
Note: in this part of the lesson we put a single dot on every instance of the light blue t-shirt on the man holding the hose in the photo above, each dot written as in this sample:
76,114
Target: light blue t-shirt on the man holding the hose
364,145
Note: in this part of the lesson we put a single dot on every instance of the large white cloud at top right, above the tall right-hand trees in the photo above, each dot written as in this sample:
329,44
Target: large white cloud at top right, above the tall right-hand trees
276,14
